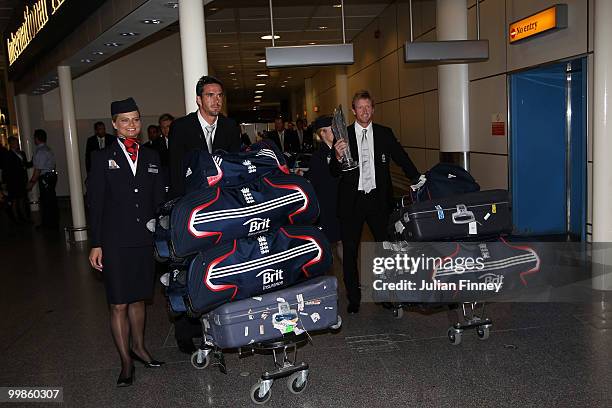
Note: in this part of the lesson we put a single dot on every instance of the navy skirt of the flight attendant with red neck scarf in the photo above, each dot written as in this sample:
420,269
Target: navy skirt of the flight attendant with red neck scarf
129,274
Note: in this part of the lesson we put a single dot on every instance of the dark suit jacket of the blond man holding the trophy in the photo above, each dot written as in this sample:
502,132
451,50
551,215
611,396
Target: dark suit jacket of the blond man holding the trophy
386,147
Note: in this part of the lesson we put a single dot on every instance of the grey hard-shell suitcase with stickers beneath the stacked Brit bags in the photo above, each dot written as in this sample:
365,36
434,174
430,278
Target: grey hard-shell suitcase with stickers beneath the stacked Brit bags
309,306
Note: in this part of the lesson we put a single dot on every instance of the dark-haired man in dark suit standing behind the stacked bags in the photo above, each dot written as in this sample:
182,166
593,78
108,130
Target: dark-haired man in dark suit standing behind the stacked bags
205,128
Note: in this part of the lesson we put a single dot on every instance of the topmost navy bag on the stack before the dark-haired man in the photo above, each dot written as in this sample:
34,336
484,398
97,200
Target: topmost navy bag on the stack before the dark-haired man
230,169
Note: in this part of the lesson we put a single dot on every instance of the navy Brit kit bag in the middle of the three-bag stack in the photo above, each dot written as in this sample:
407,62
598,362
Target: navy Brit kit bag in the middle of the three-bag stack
214,215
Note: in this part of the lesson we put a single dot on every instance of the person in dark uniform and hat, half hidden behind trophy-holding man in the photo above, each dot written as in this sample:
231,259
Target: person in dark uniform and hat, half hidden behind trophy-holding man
324,183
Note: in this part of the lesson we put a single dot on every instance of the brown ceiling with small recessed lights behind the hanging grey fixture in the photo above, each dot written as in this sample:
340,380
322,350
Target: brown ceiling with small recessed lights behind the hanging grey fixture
235,48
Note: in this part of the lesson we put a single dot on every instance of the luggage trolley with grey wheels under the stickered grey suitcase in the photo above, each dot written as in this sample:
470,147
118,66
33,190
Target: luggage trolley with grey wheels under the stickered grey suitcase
284,353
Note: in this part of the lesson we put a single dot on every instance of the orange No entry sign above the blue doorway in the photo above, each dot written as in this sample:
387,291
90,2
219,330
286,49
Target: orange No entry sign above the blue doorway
552,18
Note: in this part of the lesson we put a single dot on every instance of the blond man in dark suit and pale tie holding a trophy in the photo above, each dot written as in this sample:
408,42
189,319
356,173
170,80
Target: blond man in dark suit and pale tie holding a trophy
365,193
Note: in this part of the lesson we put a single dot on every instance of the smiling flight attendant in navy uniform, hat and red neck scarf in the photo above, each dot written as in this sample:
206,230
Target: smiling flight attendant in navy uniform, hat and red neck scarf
124,189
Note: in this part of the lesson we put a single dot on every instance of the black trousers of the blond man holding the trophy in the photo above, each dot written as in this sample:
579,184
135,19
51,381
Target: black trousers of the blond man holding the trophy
368,209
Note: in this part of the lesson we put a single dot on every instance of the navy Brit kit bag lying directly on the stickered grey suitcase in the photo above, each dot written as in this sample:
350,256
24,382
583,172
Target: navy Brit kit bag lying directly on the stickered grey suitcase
252,266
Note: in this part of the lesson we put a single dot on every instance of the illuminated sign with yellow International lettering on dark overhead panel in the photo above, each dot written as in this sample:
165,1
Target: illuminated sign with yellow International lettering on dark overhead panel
34,19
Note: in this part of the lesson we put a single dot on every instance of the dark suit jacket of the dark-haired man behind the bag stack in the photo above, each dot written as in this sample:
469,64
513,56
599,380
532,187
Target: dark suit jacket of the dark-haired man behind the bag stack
186,135
